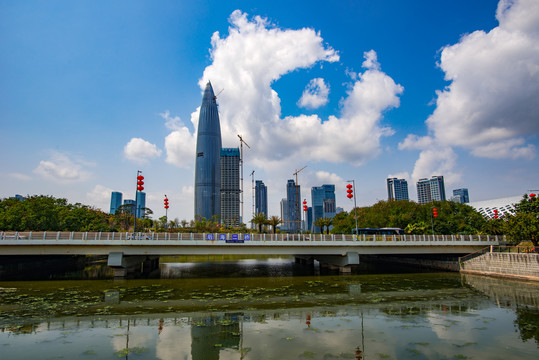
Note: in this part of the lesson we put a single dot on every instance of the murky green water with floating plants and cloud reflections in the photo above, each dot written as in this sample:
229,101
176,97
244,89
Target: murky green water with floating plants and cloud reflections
270,309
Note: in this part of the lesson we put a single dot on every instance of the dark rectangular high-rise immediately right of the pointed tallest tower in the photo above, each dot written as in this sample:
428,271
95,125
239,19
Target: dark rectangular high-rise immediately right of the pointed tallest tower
230,186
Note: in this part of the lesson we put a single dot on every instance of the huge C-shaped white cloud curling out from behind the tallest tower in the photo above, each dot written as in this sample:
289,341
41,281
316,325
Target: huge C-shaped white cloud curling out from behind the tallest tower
252,57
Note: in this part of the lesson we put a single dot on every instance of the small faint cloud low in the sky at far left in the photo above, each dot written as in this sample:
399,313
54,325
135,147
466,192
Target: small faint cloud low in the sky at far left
60,168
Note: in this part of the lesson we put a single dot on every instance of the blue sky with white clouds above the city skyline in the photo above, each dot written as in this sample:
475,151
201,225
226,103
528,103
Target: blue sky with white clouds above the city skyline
92,91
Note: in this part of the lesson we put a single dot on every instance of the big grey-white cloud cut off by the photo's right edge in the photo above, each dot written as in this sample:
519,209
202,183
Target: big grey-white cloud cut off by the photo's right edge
492,99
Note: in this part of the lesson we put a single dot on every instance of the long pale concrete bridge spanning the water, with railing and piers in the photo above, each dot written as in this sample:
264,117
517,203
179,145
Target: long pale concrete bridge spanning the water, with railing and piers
129,250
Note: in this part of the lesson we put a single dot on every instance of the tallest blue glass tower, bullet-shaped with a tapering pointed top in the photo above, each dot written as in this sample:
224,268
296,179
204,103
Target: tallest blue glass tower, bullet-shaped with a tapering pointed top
208,160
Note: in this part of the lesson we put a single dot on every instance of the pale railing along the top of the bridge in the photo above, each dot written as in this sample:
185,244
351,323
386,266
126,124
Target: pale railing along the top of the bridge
248,237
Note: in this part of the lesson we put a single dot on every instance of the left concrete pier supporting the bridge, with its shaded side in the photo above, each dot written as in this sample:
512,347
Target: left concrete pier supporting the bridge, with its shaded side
123,265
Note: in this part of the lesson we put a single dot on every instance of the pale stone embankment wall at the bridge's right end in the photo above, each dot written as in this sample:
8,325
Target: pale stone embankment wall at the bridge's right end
524,266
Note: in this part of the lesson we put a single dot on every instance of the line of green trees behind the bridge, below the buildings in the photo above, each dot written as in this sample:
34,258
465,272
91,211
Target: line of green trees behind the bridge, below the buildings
46,213
